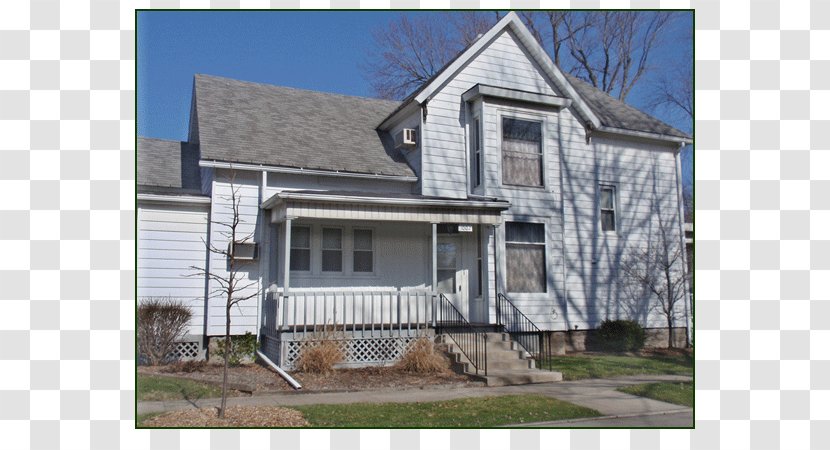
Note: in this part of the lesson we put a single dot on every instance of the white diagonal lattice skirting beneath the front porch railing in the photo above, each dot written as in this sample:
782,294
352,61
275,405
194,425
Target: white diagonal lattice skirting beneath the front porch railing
358,352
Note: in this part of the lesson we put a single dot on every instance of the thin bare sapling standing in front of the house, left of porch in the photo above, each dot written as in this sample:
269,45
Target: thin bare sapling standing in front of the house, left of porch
231,284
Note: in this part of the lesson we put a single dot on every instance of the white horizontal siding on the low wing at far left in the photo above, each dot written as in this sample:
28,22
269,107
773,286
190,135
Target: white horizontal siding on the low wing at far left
171,241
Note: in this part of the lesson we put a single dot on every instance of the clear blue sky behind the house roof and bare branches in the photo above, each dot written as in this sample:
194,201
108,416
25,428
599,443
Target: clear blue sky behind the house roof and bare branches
320,51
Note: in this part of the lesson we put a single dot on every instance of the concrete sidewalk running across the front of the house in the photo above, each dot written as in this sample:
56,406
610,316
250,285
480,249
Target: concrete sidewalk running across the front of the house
598,394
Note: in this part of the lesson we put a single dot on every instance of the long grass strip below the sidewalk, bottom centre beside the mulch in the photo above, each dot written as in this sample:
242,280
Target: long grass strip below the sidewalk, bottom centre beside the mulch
467,412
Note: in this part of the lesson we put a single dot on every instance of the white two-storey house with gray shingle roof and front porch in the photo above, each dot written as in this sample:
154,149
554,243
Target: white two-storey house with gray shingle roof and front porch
501,191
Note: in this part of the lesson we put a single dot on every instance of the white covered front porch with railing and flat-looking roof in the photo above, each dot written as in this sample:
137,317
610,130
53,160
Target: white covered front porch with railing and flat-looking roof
368,271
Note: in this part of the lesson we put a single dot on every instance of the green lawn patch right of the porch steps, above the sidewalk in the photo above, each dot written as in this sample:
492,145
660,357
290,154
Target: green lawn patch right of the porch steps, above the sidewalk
578,367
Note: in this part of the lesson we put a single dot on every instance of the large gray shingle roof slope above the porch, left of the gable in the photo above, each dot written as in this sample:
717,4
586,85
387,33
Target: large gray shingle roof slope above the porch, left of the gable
257,123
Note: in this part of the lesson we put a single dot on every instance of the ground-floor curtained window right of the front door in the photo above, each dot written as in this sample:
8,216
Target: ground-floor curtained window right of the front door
525,257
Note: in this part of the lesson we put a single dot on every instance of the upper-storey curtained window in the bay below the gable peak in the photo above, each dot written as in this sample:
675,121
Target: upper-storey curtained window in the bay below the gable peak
521,149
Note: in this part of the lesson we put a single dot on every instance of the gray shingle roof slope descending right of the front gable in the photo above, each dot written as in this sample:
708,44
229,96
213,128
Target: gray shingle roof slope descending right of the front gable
616,114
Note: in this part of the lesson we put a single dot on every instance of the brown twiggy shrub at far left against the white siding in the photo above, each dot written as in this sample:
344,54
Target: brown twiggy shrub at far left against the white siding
161,321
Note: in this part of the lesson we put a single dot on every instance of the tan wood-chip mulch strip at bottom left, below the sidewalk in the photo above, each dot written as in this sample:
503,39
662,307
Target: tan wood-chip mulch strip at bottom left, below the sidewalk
235,416
